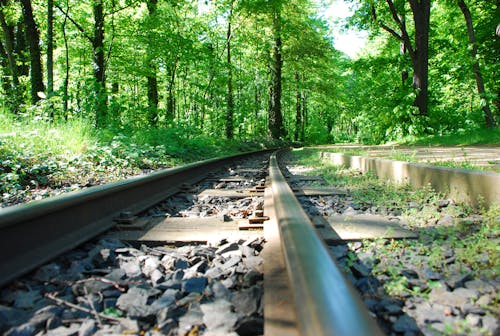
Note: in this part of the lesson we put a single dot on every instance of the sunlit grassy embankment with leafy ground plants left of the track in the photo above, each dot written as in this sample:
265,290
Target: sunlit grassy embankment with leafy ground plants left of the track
40,159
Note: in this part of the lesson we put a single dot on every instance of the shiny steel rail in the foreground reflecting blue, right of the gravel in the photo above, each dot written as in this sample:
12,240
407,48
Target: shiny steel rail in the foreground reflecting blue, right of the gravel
326,304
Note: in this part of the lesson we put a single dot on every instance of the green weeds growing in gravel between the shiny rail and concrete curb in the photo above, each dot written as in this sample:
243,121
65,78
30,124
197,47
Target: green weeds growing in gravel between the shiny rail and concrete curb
448,232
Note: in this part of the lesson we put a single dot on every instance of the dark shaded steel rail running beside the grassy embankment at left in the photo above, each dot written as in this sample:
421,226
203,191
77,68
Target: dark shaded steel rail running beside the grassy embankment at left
33,233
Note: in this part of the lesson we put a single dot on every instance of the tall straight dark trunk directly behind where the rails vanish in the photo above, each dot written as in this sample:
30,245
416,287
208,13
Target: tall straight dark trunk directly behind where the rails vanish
275,117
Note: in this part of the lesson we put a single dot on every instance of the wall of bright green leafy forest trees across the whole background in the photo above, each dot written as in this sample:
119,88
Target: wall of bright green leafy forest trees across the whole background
250,69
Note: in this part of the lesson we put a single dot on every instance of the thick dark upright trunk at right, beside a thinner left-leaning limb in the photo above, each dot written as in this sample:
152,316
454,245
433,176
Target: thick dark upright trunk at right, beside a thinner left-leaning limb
421,17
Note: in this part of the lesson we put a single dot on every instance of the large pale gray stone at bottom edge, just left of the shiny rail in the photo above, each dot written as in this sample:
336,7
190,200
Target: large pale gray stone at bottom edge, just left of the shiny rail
217,316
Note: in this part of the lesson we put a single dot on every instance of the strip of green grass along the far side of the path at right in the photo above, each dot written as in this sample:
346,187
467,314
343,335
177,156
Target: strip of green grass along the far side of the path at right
458,138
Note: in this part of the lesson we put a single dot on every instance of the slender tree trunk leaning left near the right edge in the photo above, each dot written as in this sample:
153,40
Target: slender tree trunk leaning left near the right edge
488,116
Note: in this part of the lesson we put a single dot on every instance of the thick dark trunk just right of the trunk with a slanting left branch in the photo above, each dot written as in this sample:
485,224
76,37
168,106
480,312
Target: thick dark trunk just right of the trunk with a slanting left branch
151,77
